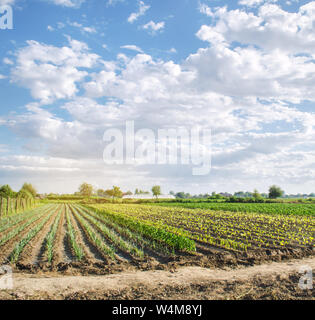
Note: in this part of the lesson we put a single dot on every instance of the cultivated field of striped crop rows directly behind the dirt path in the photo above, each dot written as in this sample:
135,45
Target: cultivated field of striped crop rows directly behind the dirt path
107,238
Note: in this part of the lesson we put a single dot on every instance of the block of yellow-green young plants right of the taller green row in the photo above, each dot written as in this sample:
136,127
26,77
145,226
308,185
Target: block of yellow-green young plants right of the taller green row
229,230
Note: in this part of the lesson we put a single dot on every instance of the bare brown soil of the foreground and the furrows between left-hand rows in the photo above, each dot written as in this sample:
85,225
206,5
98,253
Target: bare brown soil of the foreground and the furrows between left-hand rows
210,273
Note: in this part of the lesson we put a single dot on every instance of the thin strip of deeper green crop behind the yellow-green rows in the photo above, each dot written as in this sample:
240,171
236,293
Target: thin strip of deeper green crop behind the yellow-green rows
269,208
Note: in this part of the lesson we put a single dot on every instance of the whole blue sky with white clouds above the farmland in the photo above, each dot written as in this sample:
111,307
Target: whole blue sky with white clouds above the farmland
71,69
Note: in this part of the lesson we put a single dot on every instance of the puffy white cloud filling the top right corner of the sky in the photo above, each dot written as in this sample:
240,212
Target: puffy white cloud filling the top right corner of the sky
271,28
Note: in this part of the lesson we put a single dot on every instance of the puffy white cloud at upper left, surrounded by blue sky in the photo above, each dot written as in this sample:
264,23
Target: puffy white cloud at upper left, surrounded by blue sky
51,72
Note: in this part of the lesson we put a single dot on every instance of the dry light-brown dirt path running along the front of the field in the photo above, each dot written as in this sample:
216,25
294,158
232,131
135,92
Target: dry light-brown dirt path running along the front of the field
267,281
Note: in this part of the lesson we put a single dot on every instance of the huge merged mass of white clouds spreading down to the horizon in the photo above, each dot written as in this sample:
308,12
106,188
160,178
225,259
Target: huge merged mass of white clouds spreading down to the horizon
243,85
